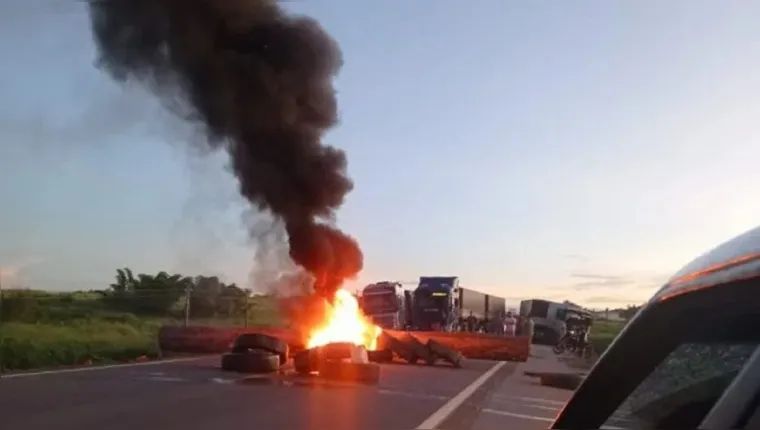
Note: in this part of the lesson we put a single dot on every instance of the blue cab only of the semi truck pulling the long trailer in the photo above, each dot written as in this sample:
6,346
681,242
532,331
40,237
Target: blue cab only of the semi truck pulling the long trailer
436,303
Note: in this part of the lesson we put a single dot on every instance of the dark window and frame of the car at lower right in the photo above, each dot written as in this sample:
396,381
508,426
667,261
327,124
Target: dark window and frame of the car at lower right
697,366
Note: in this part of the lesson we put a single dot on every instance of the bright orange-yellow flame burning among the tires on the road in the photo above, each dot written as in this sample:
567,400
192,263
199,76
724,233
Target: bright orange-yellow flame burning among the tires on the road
345,322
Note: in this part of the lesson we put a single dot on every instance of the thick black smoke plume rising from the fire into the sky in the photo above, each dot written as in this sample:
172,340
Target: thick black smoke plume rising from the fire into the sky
259,82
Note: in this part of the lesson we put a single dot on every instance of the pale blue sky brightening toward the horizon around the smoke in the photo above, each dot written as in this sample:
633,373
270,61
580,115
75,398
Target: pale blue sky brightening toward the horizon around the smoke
581,150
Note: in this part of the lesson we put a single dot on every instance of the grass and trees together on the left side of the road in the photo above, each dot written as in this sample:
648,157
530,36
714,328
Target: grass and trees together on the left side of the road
44,329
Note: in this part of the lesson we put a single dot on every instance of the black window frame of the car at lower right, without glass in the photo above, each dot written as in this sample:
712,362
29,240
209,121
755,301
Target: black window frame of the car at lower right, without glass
645,339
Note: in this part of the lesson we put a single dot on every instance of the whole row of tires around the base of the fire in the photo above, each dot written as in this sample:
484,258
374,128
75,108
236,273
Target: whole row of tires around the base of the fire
262,354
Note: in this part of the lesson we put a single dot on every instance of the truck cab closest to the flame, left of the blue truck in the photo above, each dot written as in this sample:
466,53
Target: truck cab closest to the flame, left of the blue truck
387,304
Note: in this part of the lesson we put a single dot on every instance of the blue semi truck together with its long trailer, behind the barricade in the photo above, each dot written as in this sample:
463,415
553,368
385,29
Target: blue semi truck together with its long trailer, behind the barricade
441,304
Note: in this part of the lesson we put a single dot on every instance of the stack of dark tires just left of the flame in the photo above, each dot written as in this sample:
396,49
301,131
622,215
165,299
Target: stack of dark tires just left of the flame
256,353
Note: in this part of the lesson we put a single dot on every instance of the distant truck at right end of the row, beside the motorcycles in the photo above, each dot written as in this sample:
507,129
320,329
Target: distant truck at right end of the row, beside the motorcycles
549,318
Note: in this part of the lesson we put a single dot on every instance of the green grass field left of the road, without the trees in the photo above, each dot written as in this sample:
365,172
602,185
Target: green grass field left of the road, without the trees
59,329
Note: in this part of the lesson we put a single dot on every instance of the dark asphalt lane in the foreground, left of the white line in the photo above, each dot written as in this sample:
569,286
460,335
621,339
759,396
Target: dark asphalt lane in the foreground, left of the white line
196,395
